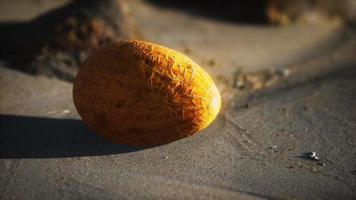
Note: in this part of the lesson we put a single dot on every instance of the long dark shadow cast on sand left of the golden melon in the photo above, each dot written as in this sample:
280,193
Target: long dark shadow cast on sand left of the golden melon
37,137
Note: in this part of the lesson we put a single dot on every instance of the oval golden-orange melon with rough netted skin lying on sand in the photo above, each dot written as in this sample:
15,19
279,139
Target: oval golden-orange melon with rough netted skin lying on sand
142,94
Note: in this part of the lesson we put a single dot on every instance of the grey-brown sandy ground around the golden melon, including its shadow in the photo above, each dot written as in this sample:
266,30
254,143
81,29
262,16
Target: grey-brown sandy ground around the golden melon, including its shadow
255,149
